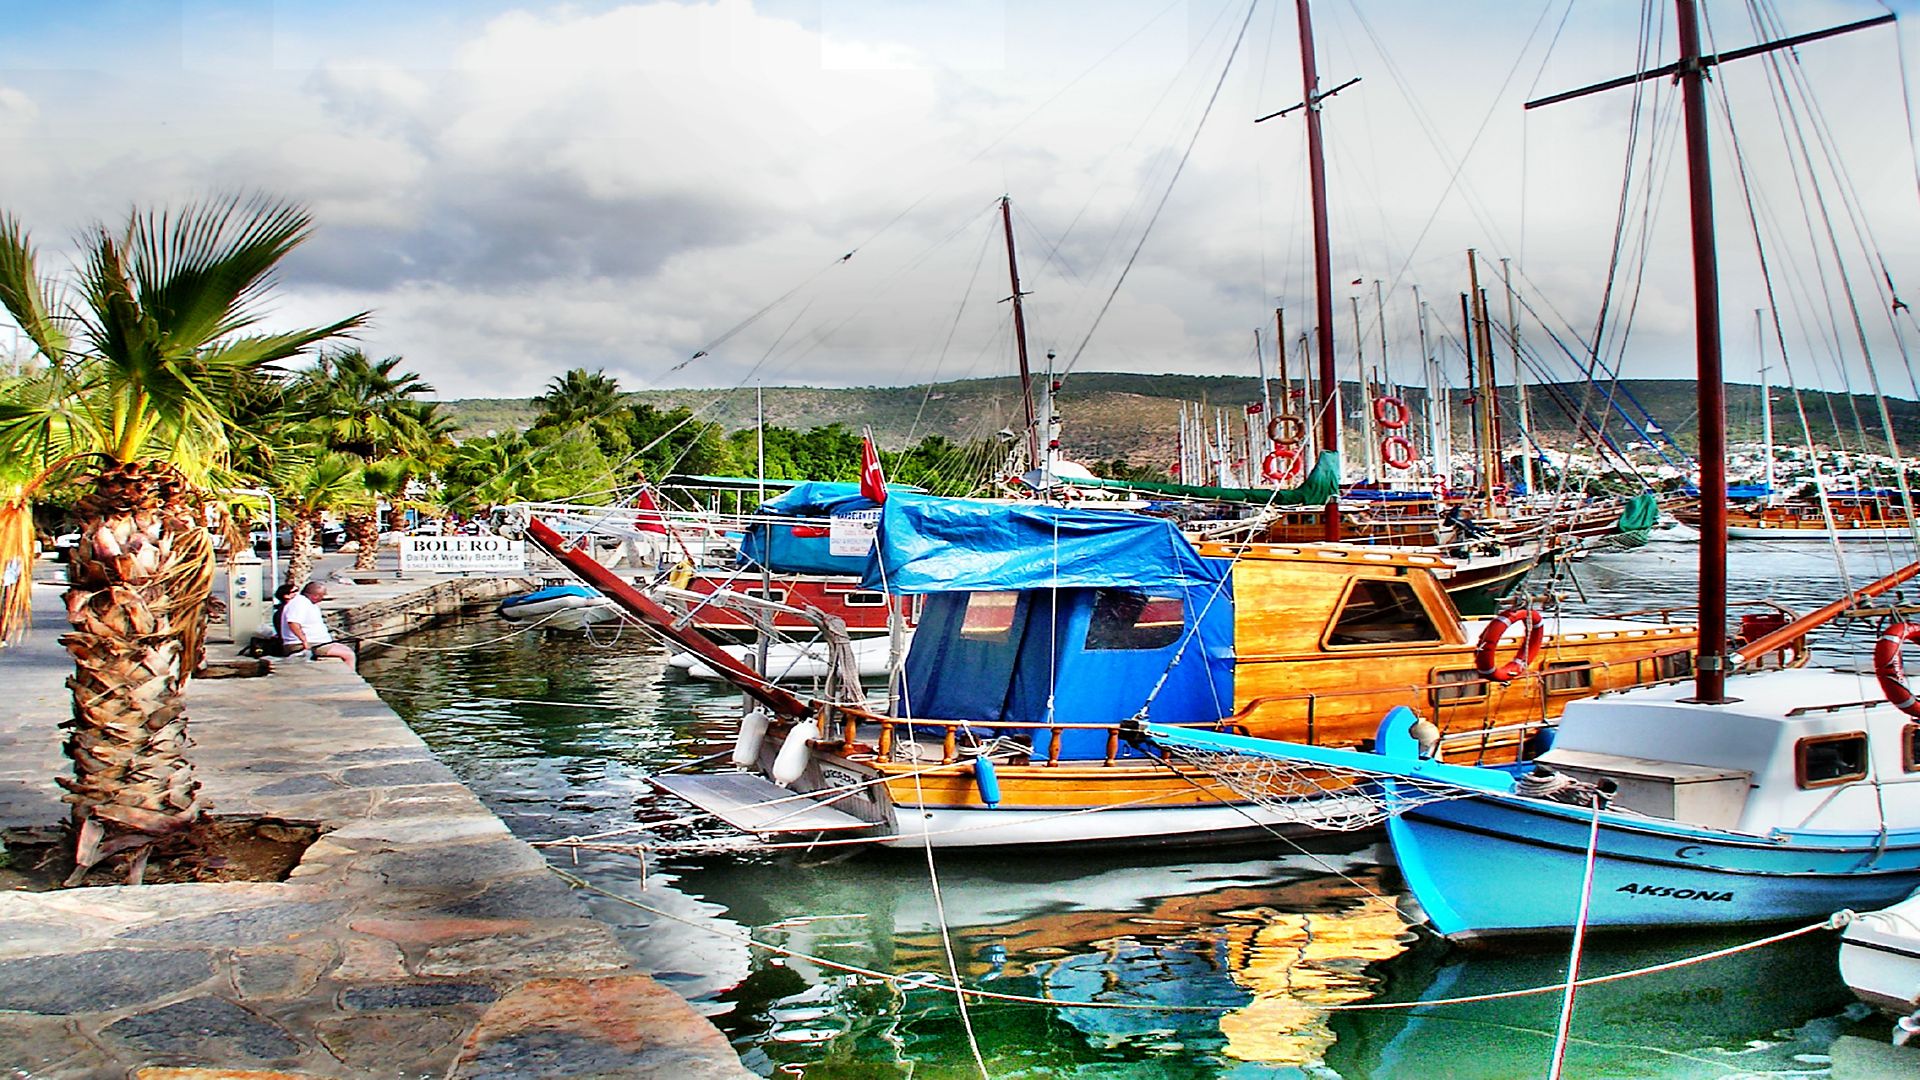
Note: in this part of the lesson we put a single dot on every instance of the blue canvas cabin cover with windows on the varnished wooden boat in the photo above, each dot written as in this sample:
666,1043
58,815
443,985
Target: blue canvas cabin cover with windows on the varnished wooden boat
1078,608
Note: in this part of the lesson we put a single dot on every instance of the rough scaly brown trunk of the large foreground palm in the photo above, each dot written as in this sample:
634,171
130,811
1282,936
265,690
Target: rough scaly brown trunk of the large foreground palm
139,597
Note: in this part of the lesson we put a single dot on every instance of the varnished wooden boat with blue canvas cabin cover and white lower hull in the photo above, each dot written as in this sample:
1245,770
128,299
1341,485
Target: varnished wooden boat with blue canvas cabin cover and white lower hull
1005,720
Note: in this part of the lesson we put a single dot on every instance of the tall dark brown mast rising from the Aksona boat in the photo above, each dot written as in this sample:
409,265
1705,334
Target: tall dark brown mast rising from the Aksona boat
1710,675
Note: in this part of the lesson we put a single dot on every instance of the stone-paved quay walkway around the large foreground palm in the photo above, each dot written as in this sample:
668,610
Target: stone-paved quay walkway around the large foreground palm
416,939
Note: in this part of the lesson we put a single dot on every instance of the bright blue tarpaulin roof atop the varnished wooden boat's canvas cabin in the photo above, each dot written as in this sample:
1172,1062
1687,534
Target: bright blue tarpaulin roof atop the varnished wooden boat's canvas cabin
934,545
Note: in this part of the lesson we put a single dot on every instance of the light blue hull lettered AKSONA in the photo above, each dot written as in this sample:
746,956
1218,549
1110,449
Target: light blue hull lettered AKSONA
1495,866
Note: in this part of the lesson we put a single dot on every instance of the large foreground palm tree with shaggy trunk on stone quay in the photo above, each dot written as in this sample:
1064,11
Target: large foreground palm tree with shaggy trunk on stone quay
143,349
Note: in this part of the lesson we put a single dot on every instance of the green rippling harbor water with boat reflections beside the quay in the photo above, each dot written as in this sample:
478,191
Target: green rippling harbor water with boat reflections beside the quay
1211,964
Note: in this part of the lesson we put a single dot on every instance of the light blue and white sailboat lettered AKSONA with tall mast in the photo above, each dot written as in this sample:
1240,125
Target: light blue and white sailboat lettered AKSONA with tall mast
1742,797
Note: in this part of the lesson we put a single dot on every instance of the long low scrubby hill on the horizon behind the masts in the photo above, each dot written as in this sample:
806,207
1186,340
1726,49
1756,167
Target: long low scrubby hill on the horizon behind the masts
1136,418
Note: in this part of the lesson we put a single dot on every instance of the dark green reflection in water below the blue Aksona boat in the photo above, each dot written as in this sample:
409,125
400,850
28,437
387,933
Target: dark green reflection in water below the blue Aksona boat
1744,1016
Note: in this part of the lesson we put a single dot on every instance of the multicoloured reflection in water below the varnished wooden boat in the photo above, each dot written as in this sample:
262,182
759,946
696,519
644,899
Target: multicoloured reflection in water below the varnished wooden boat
1253,945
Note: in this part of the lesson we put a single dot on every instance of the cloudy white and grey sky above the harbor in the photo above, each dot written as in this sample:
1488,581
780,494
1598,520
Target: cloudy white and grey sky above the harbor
517,189
